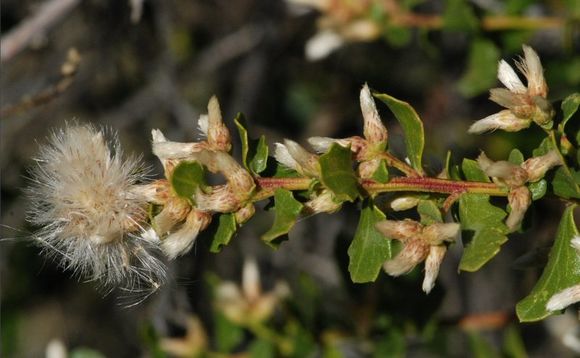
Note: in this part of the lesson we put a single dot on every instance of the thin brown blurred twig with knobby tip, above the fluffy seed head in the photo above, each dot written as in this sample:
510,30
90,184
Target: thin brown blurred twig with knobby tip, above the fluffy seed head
68,70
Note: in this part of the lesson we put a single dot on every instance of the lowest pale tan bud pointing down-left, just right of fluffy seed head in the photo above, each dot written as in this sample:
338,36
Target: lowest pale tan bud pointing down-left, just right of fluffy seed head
181,241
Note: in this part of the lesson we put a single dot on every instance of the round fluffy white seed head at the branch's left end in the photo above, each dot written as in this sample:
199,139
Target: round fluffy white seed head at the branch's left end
91,219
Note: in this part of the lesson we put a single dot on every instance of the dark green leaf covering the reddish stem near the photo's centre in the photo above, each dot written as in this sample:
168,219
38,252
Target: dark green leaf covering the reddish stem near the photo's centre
336,173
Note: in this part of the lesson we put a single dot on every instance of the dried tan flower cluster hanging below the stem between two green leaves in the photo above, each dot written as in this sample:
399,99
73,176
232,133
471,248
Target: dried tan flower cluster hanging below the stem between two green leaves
419,243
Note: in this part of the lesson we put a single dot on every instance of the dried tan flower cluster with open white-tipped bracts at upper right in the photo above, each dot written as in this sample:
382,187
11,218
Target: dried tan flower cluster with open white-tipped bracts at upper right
524,105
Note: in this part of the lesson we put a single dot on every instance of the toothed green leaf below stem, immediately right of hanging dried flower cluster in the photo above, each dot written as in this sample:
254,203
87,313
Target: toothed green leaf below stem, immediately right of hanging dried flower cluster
484,222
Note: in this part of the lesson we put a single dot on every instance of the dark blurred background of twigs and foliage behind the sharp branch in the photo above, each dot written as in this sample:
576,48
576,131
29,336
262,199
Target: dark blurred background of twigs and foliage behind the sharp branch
295,69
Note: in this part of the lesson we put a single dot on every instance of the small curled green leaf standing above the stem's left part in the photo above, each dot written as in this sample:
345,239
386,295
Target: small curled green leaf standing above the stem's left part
254,152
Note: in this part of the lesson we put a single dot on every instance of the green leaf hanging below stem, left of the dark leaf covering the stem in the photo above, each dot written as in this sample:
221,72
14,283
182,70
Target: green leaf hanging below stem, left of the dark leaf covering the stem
287,209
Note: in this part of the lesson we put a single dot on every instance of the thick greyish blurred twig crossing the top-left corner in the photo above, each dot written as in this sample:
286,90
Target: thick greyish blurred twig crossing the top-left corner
45,17
